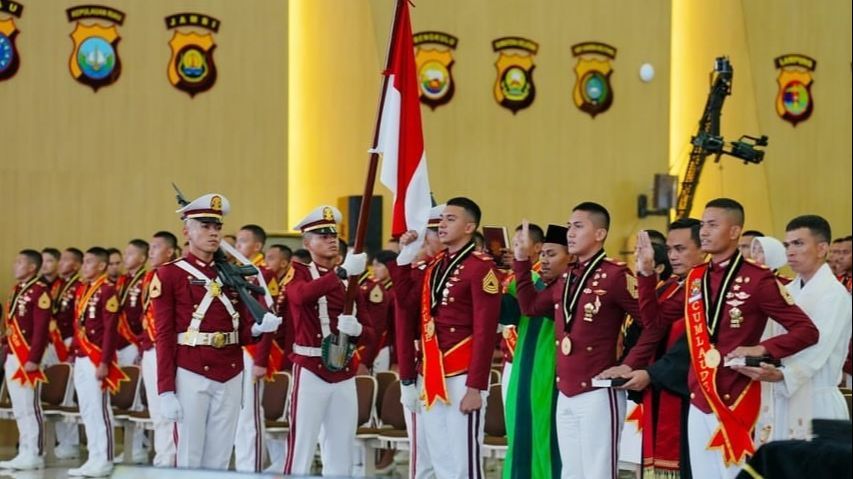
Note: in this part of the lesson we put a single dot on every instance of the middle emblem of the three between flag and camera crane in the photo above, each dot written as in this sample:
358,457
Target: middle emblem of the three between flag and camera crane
514,88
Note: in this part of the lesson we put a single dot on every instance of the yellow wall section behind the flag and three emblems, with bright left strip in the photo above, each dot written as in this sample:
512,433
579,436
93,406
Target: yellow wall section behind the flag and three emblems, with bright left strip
539,162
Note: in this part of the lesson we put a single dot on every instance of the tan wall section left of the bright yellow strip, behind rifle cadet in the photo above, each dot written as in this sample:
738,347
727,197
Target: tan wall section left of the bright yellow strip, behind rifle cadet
82,168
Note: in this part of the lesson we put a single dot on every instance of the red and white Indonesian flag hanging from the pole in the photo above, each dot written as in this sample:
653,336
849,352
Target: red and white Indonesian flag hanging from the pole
401,140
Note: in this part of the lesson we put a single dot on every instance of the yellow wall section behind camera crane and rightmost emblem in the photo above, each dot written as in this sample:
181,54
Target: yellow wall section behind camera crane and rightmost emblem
807,168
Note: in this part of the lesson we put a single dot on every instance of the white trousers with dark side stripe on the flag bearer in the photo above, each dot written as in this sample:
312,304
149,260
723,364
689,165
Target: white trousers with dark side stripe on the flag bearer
321,411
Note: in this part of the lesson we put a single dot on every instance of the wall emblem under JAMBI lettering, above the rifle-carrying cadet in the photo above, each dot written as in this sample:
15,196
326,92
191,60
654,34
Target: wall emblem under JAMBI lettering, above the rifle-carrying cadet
191,67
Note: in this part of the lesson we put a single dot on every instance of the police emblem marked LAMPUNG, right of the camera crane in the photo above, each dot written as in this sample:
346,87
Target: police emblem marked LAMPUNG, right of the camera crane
794,102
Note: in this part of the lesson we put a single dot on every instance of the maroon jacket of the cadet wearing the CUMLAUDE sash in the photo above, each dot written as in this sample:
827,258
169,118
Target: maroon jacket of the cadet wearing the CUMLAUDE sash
758,295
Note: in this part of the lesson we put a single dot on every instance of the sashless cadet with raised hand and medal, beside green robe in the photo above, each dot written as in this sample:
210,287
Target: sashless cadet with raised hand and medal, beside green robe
589,306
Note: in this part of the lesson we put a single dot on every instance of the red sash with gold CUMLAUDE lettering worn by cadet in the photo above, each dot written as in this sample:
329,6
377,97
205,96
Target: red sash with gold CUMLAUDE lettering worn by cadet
734,434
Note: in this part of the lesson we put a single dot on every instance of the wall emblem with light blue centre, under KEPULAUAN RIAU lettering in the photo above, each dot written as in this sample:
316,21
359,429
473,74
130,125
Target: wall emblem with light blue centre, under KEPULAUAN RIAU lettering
94,59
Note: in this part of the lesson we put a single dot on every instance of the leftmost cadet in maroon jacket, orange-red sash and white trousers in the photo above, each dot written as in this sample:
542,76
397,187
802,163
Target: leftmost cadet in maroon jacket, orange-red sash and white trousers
27,320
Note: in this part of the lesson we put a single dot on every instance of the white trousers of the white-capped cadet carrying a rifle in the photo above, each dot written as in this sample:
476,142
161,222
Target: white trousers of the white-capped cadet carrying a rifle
205,434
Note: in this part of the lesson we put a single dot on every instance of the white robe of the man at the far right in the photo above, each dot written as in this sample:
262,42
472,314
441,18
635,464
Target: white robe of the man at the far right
811,377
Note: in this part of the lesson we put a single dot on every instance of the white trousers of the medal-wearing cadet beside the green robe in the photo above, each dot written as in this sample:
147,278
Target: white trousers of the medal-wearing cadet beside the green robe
588,430
